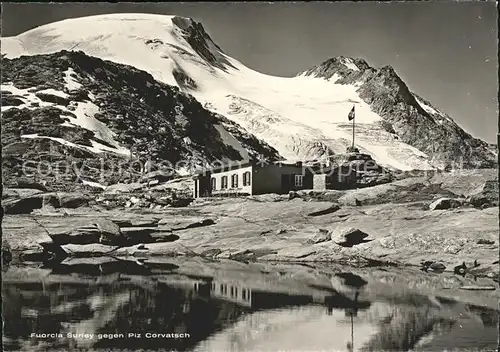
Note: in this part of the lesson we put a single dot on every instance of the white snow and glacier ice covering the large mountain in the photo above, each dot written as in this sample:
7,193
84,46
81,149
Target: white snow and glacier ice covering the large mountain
303,117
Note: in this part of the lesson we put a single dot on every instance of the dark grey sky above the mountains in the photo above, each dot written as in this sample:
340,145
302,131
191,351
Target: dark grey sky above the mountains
445,51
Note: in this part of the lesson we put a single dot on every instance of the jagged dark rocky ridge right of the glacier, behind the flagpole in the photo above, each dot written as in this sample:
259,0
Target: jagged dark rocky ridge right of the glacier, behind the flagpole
408,116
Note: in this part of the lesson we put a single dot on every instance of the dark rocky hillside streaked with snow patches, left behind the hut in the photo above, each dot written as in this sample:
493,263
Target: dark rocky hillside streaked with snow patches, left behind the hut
82,112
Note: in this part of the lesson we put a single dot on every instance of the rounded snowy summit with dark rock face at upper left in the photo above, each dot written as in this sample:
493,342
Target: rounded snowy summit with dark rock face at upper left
174,45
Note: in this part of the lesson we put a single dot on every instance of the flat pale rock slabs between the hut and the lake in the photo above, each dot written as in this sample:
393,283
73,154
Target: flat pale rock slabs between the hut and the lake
446,222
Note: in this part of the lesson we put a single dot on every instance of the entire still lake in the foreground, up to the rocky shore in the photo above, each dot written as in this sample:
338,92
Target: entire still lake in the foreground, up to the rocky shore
114,304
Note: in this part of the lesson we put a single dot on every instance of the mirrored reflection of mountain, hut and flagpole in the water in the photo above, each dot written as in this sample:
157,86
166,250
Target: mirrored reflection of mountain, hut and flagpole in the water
221,314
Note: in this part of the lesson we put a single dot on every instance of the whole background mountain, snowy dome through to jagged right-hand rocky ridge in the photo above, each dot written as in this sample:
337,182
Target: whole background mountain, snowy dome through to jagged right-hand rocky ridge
303,117
